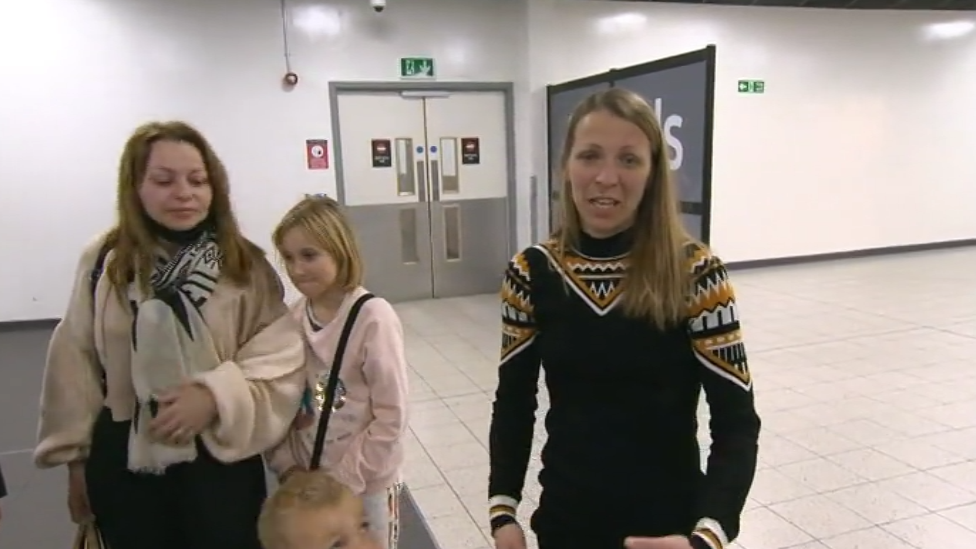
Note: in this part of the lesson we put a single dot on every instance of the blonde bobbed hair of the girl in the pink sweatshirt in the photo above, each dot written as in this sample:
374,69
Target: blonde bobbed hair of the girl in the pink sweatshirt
322,220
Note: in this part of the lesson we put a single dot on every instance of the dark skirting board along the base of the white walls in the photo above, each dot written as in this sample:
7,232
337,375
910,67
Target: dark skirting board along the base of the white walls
732,265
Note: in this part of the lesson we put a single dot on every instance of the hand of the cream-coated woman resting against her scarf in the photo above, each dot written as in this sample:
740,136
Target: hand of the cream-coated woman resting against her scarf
184,412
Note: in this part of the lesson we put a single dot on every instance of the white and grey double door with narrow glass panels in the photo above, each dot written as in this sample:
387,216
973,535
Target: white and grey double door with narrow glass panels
425,183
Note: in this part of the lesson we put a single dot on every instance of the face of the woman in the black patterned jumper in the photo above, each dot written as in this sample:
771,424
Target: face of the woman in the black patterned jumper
608,170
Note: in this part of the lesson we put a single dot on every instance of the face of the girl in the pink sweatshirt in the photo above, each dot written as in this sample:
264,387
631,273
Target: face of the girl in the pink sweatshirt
311,269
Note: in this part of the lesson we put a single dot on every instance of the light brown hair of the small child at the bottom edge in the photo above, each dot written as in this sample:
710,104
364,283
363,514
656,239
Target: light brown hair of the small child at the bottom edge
301,491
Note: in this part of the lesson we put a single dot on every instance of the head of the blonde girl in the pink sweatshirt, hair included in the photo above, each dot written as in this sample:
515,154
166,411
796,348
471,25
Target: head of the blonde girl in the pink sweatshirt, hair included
319,248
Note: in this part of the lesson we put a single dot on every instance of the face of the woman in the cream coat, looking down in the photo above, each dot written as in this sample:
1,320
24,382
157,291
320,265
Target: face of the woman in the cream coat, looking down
176,192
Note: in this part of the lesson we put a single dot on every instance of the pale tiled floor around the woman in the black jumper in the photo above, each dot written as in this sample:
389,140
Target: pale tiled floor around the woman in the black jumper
865,382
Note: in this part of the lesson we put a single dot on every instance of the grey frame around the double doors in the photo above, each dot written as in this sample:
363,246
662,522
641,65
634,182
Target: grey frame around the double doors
507,89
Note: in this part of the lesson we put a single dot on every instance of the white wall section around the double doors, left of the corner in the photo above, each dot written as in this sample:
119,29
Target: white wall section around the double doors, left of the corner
77,76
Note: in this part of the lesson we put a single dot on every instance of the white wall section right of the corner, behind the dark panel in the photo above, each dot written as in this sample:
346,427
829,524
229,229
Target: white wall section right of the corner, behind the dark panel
864,138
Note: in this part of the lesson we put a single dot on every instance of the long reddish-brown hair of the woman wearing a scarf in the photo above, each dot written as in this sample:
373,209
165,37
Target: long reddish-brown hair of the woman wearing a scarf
131,238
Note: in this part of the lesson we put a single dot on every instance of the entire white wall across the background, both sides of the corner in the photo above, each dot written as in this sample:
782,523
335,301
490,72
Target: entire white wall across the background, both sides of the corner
861,140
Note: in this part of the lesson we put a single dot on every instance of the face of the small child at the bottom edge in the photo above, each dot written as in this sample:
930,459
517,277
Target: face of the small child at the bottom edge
338,527
